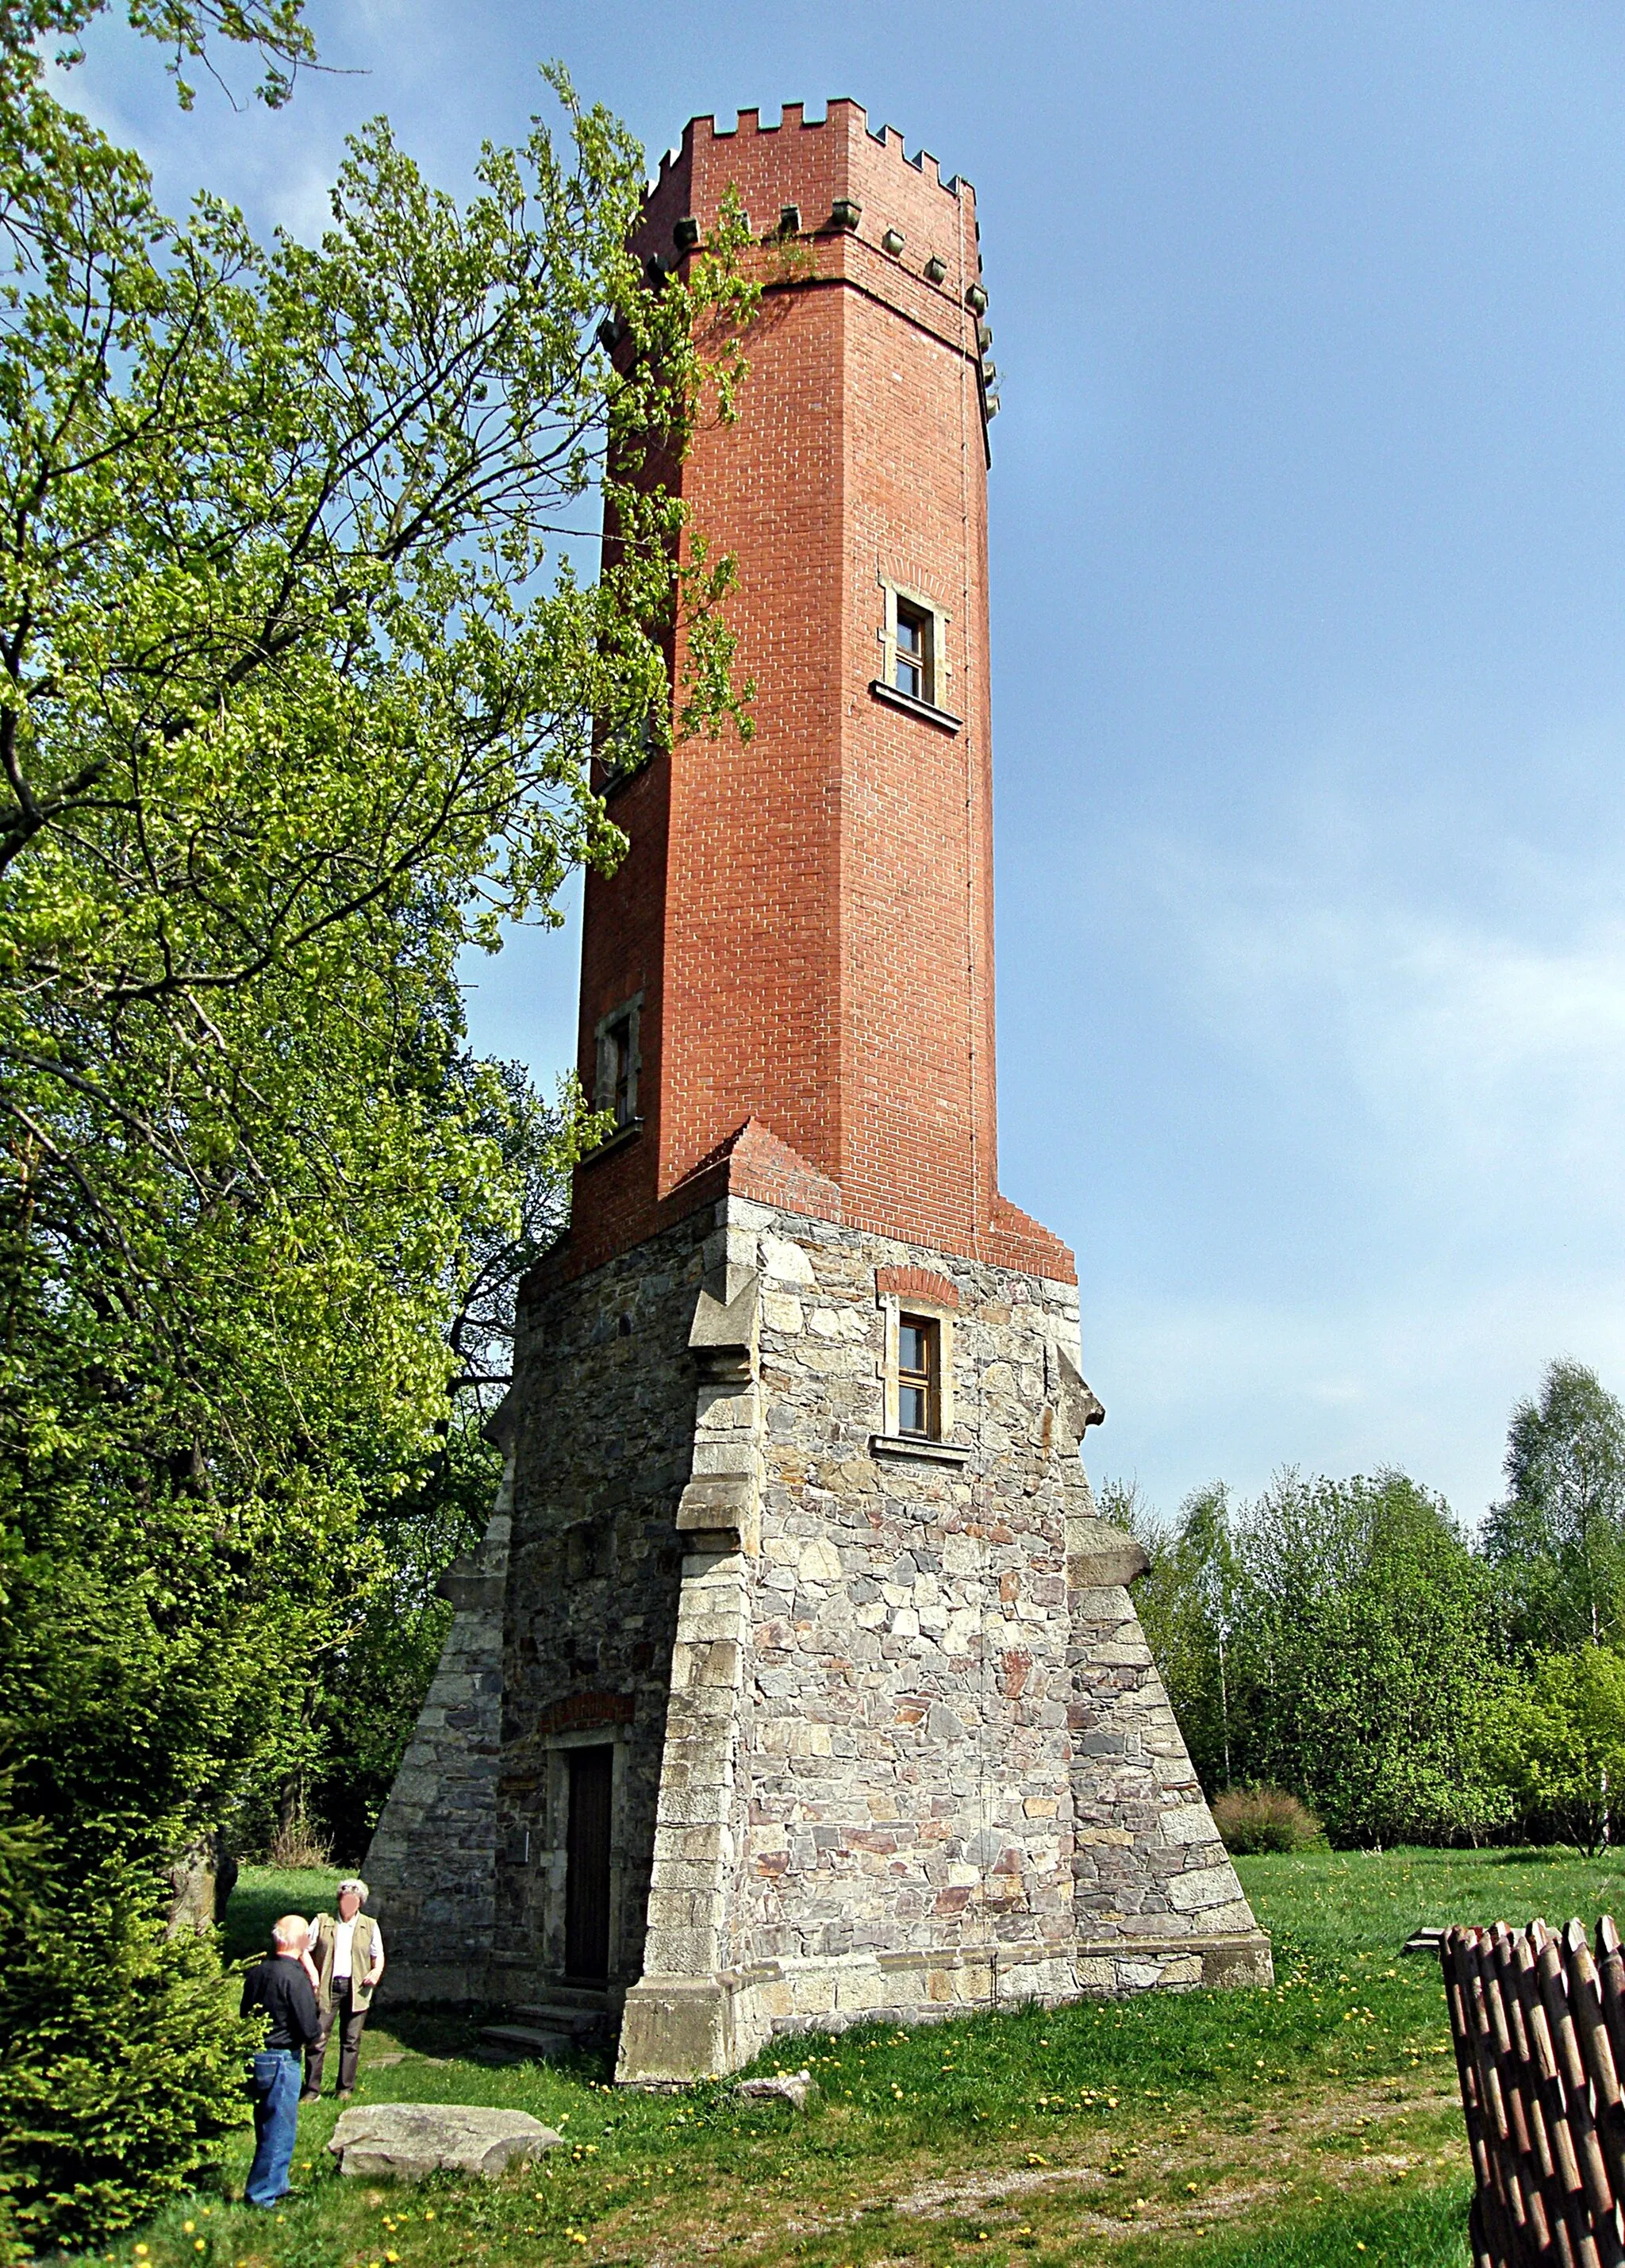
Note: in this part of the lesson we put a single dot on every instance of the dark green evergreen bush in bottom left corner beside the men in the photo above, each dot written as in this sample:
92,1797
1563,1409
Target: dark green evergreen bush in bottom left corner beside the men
121,2054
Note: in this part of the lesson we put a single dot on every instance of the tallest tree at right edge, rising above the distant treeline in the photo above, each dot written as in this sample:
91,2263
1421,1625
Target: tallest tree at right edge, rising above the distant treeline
1558,1539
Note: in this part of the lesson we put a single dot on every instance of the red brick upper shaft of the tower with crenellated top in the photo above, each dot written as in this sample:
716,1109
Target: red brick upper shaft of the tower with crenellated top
810,920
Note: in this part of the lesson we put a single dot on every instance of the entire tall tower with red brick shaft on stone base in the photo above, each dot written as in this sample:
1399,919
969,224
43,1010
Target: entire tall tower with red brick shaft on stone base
799,1679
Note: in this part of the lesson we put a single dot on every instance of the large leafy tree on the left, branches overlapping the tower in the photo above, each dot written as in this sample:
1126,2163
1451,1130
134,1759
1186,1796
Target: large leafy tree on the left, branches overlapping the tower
298,702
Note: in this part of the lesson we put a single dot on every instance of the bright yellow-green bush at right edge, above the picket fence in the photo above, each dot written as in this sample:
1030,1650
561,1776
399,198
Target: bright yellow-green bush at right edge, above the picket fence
1558,1743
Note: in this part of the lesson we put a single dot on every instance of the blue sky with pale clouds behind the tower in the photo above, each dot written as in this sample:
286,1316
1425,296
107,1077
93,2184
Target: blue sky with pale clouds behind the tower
1309,559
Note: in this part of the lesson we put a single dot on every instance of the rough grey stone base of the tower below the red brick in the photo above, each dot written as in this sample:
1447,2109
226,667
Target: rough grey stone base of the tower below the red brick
865,1727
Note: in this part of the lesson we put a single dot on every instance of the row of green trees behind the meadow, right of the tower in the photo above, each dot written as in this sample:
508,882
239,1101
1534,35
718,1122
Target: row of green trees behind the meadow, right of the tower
1343,1639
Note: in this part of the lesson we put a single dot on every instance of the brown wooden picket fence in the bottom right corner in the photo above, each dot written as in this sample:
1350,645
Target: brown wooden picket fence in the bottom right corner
1540,2049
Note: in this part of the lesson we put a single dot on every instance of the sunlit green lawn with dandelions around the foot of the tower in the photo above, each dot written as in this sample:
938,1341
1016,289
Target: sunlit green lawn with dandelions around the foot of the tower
1284,2129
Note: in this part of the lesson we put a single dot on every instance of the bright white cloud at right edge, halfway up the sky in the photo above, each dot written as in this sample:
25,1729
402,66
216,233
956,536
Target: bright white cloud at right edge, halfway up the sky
1481,1049
